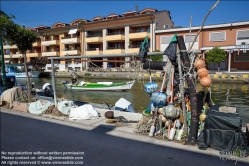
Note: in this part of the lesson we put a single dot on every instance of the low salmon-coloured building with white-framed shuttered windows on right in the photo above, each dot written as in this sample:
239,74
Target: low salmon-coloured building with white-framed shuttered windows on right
232,37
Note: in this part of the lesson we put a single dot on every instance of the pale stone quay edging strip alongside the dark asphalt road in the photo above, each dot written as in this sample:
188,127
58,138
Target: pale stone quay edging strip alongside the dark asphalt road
126,132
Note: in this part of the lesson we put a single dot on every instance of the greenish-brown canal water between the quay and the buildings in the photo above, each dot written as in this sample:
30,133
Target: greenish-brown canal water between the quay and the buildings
227,94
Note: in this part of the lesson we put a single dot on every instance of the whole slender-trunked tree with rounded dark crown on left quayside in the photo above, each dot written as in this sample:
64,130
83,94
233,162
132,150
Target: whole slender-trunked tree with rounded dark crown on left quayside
24,40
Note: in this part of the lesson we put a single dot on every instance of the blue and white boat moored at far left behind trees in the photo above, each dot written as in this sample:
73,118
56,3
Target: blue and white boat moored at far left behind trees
17,71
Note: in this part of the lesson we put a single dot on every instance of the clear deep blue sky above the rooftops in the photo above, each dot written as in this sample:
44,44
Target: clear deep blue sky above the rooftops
33,13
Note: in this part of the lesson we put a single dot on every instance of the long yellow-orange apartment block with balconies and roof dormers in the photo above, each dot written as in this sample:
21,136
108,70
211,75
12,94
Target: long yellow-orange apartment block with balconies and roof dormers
110,35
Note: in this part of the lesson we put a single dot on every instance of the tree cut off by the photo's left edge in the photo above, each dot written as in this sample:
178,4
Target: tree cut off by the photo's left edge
6,25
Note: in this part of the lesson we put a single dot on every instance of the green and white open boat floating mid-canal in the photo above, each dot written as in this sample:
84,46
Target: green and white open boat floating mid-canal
100,86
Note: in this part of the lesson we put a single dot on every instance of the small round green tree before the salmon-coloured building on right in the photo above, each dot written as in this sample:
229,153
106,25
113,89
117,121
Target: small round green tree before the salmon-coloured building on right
216,55
